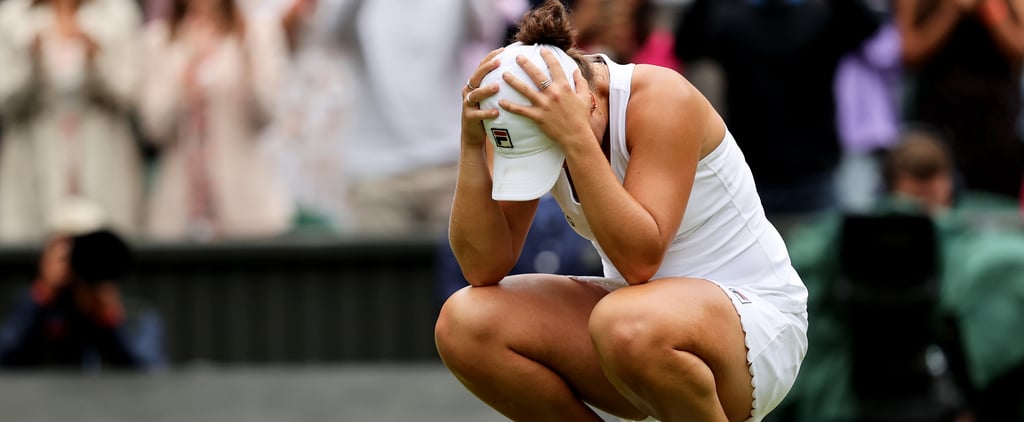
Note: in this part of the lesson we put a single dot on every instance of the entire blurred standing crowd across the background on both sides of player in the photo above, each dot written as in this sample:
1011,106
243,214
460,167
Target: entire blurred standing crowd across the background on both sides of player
204,120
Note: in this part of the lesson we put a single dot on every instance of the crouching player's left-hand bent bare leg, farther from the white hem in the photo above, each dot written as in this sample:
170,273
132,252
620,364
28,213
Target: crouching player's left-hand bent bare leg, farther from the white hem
523,347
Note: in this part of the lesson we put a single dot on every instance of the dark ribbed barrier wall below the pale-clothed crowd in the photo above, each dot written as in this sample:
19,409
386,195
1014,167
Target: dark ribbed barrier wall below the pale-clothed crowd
282,302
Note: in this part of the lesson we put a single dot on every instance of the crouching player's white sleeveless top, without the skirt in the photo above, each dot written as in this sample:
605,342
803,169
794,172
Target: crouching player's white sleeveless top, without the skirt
724,237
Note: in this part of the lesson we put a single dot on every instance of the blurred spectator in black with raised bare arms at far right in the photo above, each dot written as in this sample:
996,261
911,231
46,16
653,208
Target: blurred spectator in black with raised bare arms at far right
964,61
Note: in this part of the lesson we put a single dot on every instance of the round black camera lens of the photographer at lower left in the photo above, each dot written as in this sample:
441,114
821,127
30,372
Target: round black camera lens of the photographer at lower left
100,257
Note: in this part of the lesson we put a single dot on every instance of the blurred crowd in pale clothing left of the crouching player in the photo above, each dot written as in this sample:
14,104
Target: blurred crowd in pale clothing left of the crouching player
205,120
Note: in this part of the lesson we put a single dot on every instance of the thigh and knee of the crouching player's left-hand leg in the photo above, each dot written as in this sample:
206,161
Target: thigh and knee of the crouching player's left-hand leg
542,317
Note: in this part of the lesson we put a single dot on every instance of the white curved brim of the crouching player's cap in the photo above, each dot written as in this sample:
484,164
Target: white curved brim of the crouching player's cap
525,179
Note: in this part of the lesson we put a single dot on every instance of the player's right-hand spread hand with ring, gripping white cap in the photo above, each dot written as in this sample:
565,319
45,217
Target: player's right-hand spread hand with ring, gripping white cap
564,115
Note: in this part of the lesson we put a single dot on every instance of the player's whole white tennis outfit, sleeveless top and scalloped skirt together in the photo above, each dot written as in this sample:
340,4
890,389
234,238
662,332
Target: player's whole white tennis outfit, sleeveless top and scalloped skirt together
724,238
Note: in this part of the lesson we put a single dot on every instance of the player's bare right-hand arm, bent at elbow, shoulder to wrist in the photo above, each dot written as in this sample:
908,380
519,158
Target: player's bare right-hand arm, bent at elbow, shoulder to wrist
636,221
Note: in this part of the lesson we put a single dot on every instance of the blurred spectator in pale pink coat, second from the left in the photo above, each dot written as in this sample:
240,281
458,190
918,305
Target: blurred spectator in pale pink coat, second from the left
212,77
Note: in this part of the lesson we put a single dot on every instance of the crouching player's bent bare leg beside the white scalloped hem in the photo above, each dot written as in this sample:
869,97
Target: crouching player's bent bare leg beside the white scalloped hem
675,348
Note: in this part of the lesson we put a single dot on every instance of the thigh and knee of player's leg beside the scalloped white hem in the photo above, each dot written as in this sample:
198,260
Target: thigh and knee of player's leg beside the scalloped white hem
687,315
